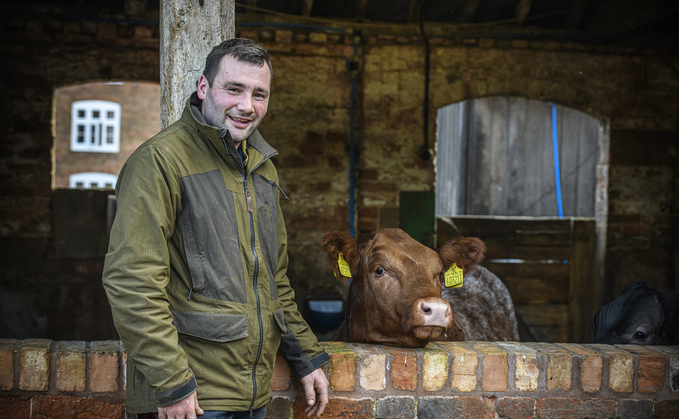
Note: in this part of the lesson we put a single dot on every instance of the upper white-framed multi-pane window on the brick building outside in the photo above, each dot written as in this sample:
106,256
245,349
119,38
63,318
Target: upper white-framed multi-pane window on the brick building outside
95,126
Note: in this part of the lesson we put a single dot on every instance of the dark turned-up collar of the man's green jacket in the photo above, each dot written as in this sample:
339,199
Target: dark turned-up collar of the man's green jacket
218,137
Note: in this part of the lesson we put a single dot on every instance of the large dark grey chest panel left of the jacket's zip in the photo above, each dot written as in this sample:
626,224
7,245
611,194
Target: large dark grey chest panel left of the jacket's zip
210,234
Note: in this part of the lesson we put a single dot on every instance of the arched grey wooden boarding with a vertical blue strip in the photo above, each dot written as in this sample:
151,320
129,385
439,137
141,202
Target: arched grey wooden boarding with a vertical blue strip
495,156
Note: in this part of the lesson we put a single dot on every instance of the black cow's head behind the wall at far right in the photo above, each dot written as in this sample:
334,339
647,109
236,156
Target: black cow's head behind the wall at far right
635,316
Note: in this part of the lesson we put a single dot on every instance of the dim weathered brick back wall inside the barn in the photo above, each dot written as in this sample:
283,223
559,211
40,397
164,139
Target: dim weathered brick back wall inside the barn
635,90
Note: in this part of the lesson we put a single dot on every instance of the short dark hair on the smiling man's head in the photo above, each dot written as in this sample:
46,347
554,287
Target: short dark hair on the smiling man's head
239,48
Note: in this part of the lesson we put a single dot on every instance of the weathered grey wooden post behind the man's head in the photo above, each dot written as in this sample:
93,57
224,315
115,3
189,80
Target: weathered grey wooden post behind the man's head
189,29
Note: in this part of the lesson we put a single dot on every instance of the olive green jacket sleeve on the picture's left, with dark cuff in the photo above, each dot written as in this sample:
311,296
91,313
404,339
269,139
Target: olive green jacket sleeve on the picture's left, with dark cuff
137,272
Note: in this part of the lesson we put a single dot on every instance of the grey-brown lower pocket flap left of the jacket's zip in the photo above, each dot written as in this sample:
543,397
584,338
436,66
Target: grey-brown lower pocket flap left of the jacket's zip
211,326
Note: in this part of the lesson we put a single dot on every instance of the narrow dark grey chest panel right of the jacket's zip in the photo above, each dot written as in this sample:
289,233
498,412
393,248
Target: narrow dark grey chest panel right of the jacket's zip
266,198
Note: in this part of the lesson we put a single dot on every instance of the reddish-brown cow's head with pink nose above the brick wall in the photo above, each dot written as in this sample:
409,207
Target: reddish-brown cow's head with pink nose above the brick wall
395,293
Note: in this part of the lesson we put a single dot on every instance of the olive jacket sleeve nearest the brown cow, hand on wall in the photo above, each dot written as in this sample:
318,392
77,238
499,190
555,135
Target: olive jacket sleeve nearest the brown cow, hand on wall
299,345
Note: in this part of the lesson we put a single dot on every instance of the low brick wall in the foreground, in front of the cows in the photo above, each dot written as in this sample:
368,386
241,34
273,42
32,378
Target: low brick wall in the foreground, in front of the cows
46,379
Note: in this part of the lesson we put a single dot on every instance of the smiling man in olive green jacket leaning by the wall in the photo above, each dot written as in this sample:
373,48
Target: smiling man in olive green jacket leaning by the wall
196,268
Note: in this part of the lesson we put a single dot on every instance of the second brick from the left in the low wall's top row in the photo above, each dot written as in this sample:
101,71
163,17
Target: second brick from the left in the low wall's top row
34,364
